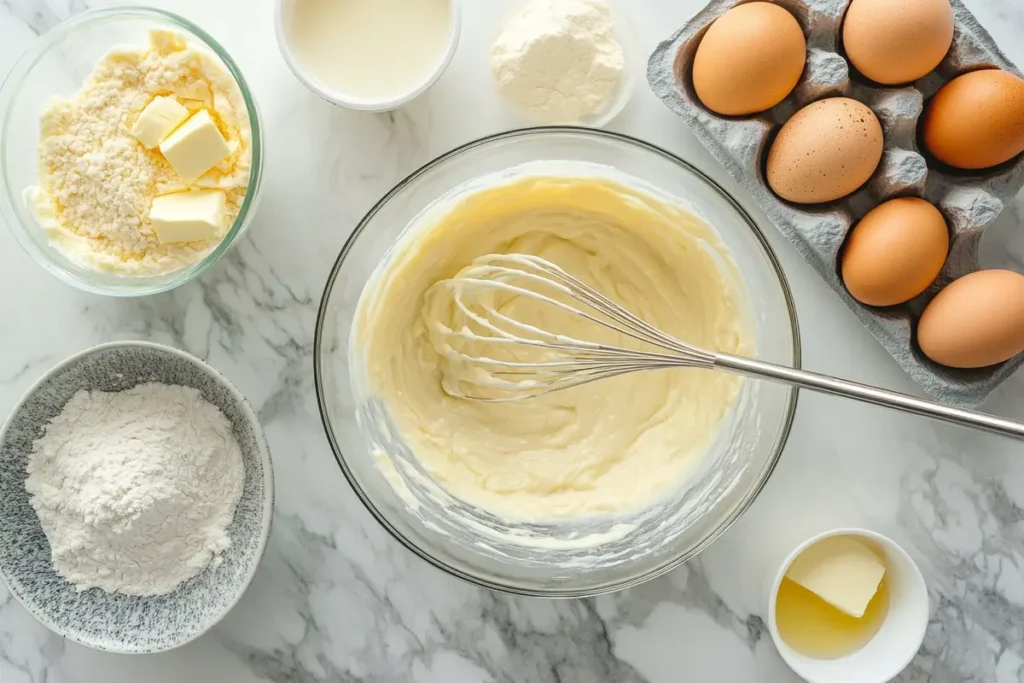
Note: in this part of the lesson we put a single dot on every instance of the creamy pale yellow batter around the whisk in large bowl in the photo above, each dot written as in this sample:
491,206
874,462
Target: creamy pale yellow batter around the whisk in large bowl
608,447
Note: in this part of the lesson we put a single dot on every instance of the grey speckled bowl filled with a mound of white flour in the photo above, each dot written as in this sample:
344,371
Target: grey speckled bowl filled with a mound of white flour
137,494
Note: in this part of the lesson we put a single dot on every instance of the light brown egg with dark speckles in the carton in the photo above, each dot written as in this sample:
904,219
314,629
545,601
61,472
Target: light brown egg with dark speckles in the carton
827,151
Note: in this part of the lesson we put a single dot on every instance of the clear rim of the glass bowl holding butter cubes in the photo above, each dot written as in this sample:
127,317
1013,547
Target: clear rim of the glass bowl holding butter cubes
16,79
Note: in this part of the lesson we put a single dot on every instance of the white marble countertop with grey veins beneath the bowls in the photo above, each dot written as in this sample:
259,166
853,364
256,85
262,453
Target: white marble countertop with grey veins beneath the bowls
336,600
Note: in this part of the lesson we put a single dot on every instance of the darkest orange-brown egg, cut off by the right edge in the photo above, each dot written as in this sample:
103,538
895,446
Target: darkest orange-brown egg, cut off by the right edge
976,120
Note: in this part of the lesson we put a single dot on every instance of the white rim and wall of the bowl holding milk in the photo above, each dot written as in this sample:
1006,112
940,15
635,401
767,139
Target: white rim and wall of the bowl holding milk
282,13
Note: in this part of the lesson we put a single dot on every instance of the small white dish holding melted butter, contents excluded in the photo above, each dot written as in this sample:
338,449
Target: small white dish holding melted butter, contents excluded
898,642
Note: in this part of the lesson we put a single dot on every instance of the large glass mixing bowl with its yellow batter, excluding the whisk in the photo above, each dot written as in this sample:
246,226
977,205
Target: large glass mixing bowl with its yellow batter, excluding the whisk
527,534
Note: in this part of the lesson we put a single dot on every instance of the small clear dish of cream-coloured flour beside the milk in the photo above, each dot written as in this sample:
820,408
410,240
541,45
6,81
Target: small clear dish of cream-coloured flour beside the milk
559,61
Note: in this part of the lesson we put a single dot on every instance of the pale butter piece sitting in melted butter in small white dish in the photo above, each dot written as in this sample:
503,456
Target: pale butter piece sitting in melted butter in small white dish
842,571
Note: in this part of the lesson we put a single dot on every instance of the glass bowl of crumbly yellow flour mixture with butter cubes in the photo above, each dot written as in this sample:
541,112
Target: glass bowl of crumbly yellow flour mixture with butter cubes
132,152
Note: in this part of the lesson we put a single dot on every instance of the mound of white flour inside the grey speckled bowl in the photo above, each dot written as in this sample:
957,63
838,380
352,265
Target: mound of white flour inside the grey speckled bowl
136,490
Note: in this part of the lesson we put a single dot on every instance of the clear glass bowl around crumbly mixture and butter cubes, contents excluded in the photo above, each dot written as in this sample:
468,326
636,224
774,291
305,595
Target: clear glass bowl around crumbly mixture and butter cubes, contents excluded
58,65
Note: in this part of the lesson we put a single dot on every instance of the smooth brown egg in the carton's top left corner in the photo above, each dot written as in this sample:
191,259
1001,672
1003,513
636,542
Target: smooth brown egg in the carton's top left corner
750,60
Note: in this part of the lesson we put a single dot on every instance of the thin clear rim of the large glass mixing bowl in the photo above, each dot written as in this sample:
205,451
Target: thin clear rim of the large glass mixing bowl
730,520
